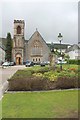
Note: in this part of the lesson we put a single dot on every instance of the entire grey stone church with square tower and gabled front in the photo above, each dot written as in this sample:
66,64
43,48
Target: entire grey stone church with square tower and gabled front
35,49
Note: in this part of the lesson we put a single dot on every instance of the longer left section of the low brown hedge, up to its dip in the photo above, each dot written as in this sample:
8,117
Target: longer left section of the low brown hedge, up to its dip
30,83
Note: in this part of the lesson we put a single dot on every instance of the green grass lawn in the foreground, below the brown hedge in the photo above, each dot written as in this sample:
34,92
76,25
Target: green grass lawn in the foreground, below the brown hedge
50,104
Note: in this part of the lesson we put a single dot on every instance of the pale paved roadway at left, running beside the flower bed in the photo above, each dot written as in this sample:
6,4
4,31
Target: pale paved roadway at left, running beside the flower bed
5,74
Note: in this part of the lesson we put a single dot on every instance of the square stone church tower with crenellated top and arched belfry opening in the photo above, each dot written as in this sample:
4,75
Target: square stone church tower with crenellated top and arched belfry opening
18,42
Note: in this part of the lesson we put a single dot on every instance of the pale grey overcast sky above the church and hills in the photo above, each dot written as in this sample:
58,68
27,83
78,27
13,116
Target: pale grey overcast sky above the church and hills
50,18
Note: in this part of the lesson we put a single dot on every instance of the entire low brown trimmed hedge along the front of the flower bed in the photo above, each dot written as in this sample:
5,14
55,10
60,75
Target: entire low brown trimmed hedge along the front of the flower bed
38,83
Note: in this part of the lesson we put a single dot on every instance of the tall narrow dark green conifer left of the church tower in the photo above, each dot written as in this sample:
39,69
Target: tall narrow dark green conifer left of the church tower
9,47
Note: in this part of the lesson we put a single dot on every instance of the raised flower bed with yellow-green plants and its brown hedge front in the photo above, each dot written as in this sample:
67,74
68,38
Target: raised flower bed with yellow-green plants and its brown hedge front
42,78
